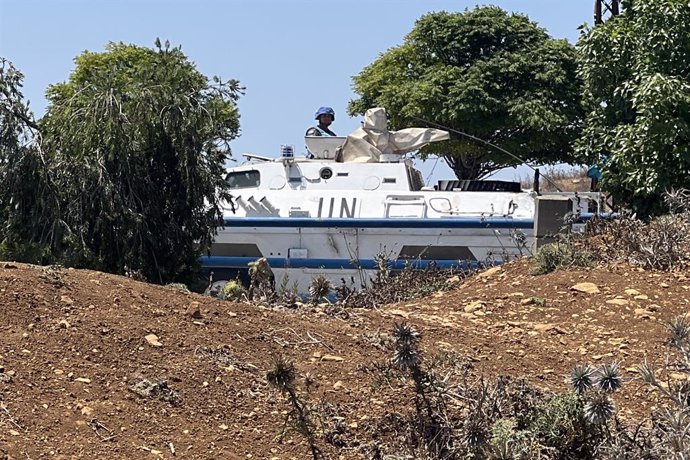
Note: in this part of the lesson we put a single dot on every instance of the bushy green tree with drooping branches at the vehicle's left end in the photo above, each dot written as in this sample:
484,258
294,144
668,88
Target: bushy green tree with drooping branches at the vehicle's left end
137,141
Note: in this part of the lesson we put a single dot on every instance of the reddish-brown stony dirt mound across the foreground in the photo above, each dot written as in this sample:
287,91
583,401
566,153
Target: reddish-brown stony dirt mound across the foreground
100,366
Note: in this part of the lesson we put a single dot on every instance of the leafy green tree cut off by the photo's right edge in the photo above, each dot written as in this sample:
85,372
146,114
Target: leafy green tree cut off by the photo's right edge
636,73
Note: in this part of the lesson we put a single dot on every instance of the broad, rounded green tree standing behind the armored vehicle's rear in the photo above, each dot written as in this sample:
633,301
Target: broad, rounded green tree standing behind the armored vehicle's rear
487,73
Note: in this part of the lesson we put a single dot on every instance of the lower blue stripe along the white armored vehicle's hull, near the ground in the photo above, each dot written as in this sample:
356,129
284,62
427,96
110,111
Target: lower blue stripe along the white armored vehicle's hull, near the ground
367,264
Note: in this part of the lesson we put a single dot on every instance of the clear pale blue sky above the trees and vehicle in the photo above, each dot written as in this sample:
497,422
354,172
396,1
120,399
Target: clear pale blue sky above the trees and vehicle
291,55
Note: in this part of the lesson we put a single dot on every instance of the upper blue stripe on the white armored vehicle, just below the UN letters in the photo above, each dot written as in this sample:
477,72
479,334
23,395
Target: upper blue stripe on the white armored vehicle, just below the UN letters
393,222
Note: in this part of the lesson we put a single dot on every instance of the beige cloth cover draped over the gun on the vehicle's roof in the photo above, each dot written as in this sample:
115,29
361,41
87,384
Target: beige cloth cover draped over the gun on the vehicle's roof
368,143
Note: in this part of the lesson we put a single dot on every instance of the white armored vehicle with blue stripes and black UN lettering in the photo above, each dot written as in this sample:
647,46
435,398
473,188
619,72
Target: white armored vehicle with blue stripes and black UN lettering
355,199
